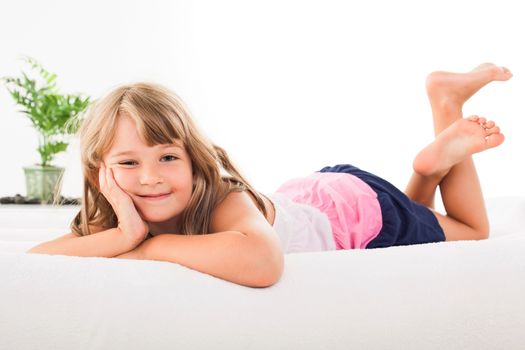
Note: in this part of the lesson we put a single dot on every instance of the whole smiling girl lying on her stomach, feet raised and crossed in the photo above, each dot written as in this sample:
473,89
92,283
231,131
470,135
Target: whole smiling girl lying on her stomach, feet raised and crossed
156,188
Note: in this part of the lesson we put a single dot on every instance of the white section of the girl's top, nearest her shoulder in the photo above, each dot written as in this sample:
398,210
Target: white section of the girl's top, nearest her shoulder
301,227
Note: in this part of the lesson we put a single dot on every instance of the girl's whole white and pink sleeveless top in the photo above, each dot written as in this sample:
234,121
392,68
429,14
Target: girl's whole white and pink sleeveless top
326,211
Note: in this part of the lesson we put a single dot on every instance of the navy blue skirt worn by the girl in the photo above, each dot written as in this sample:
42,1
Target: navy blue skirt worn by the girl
405,221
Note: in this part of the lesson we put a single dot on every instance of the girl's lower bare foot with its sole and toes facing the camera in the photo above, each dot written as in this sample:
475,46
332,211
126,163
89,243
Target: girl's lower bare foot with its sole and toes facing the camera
461,139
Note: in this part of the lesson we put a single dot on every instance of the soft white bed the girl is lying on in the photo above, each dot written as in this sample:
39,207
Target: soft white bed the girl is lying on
448,295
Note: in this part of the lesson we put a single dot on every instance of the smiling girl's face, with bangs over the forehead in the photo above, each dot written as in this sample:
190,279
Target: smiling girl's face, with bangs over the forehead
145,172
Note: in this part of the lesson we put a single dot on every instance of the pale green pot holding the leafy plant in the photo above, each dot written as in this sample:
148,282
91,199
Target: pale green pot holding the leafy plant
43,182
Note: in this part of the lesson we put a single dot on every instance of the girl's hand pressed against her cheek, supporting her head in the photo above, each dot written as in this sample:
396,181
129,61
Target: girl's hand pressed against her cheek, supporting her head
129,221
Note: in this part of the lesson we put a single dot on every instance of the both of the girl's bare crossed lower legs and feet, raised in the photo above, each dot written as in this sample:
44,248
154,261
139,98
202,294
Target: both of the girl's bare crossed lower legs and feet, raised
447,162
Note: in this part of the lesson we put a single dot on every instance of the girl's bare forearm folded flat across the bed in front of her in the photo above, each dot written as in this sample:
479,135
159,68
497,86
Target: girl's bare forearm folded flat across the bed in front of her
229,255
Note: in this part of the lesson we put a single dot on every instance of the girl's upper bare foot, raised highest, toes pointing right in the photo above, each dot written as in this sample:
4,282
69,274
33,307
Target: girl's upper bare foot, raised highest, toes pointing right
456,88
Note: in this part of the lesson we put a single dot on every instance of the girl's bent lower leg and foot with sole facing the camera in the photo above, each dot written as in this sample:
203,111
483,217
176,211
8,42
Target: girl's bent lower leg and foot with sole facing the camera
451,156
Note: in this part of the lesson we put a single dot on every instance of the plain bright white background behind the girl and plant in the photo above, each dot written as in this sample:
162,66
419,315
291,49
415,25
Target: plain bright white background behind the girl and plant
286,87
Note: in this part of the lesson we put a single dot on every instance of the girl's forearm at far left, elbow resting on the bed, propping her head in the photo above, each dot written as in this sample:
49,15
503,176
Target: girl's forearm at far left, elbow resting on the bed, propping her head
107,244
